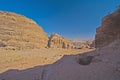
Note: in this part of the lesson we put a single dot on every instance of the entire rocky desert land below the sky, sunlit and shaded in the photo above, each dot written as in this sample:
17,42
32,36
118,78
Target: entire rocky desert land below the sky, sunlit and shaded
58,58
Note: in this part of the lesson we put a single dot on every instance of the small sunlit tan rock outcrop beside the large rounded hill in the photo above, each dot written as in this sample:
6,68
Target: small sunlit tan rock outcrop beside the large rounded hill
56,41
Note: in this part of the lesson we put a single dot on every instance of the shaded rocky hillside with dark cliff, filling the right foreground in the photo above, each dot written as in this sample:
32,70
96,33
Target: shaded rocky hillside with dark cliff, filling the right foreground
101,64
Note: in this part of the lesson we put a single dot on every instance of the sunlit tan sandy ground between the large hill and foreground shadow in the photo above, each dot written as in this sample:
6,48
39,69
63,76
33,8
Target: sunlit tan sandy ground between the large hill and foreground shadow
29,58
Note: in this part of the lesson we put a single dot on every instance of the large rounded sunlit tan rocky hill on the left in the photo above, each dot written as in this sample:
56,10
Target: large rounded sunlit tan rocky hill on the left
19,32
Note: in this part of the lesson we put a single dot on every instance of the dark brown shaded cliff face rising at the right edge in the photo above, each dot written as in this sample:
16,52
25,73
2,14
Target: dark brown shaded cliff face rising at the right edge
109,30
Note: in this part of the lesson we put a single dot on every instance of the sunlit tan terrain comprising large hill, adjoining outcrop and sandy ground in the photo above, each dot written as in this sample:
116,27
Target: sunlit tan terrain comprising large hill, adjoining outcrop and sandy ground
24,44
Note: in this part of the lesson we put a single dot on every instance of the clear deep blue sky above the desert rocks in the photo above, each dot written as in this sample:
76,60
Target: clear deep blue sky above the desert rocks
69,18
